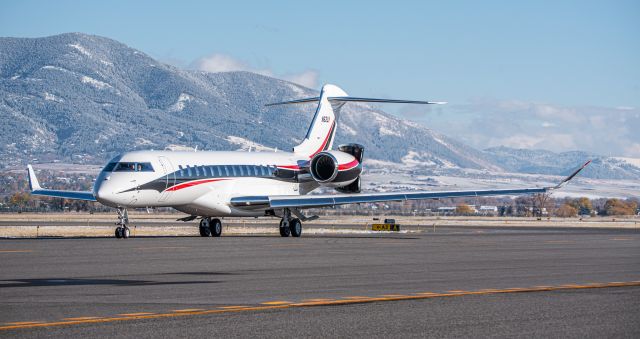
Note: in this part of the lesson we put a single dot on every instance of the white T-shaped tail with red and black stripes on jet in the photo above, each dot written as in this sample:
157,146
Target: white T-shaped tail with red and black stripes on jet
322,131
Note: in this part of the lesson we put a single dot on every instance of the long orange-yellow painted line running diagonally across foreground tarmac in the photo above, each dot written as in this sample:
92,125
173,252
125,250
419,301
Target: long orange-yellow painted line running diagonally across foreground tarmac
283,305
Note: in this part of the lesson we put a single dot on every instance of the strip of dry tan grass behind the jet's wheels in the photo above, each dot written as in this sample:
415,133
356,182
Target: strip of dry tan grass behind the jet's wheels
144,224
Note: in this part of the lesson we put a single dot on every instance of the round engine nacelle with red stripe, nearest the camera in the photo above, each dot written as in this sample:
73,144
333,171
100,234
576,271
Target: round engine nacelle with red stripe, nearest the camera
335,168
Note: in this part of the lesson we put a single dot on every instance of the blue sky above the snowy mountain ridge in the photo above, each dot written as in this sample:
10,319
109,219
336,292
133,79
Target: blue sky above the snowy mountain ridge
498,60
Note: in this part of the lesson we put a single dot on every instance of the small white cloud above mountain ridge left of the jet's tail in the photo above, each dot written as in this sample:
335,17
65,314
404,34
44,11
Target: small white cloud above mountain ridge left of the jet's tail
219,62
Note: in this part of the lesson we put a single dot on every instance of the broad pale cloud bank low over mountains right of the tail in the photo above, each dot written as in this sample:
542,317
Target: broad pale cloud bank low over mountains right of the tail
520,124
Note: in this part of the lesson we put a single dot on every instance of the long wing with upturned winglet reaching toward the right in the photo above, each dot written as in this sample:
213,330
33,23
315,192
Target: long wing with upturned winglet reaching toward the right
312,201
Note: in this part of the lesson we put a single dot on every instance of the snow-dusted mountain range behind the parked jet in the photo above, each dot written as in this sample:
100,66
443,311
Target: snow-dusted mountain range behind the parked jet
82,98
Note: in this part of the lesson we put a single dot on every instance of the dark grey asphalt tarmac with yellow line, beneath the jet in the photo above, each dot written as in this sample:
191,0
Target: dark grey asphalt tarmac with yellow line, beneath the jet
459,281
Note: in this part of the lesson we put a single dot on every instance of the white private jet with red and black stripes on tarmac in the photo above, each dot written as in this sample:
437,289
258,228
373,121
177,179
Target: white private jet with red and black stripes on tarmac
213,184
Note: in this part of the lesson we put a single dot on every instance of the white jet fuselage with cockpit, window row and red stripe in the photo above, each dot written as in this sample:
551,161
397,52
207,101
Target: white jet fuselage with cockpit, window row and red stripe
200,183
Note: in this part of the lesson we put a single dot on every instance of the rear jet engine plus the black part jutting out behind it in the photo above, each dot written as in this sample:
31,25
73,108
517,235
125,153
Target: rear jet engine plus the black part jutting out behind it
338,168
